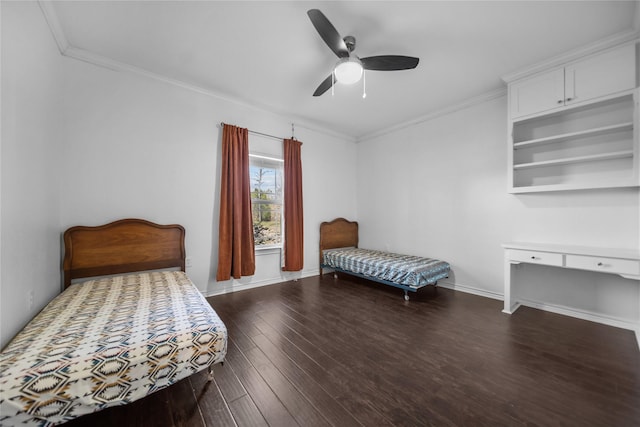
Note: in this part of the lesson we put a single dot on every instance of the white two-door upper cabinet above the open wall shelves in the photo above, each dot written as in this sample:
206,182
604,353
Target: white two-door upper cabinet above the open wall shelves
583,80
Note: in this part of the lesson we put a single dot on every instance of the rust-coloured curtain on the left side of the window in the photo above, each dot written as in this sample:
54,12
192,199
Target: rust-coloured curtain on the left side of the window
236,253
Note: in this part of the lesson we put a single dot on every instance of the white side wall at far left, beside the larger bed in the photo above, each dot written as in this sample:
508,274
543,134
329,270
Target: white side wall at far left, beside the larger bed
30,157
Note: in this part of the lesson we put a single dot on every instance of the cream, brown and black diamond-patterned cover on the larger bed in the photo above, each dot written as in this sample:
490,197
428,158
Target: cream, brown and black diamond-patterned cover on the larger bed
107,342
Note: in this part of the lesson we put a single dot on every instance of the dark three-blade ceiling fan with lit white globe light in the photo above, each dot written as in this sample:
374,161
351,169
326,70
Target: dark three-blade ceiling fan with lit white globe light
349,68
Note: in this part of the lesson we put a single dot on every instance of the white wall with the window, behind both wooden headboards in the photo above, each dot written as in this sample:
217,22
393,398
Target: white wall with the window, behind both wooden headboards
137,147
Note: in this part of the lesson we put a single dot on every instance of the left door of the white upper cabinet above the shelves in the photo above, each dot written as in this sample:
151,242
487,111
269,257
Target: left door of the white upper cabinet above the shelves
541,92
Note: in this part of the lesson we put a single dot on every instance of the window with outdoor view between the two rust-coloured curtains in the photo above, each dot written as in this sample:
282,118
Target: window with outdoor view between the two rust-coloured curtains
266,175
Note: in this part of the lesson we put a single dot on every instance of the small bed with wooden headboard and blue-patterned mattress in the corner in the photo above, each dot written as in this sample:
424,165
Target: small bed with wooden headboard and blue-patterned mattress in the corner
339,251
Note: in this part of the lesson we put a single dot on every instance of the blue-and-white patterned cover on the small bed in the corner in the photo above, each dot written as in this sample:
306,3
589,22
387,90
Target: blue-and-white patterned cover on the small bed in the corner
406,270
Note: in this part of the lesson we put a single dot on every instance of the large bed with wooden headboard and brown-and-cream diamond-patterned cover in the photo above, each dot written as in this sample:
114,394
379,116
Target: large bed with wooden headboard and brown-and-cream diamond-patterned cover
111,340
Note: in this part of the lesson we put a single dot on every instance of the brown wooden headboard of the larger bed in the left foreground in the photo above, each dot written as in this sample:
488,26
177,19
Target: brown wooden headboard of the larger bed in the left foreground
122,246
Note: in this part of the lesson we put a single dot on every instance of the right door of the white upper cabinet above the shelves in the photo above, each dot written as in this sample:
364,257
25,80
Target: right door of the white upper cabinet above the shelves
600,75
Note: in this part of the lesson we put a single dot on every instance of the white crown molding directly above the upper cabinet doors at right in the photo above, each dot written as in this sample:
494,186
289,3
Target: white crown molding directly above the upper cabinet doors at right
630,36
